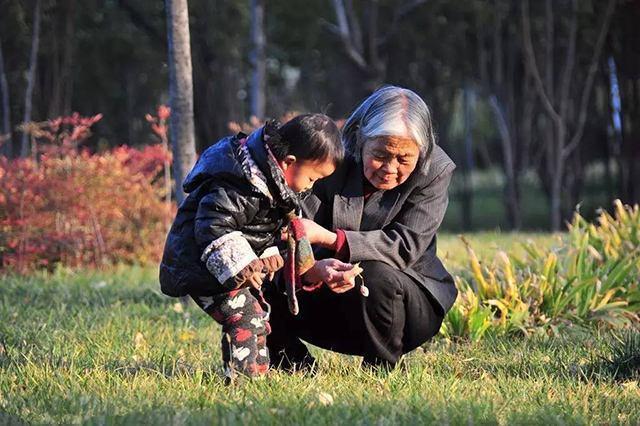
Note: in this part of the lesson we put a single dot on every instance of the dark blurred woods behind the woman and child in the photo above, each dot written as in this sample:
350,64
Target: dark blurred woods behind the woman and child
537,102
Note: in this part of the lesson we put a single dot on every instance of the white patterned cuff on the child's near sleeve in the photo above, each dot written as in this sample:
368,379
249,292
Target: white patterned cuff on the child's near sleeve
228,255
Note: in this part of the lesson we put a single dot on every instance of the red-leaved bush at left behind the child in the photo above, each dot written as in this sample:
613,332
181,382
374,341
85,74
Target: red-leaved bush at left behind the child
68,206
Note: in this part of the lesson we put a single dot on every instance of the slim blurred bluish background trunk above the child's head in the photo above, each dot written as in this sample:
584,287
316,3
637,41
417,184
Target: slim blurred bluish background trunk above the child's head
258,41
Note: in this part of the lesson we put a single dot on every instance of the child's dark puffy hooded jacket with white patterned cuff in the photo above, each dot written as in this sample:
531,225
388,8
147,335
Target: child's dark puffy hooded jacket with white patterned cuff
237,204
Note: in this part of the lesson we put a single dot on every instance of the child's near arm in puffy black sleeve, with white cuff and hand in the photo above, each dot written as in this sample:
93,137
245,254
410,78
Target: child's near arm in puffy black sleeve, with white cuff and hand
227,254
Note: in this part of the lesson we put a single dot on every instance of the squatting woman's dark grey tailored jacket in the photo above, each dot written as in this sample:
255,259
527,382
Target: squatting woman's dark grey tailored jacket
397,226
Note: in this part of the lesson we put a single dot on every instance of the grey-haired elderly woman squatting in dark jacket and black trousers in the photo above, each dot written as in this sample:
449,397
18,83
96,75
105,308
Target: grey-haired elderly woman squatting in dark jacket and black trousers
381,208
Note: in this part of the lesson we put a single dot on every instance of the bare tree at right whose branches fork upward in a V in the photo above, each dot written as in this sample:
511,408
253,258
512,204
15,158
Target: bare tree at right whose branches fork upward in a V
567,117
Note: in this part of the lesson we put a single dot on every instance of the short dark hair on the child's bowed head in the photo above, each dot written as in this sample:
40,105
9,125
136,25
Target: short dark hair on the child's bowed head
310,137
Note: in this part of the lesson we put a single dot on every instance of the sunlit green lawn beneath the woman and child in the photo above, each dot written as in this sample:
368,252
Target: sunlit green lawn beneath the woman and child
107,347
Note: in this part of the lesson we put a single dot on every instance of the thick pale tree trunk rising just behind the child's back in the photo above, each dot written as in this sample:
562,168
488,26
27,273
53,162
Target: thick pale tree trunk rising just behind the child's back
180,92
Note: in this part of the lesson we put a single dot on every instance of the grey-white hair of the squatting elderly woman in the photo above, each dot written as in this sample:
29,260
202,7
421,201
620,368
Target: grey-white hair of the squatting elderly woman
389,111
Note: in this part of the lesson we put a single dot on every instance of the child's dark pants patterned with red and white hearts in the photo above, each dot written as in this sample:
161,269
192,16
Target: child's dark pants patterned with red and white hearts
244,316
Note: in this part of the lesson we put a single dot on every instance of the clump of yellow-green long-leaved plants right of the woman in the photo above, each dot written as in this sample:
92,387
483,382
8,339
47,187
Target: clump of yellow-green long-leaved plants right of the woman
592,279
